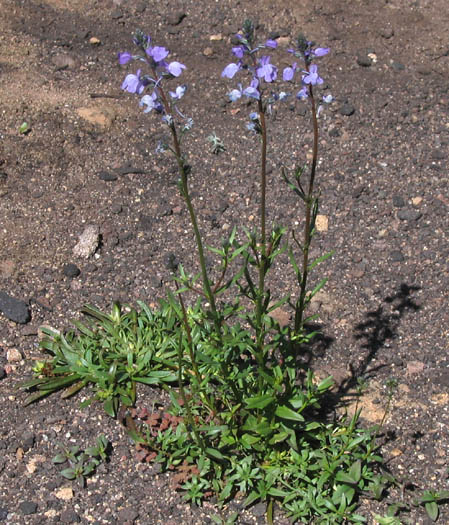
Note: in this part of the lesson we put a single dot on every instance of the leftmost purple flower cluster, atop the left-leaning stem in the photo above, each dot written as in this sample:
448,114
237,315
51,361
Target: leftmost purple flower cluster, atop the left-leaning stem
155,58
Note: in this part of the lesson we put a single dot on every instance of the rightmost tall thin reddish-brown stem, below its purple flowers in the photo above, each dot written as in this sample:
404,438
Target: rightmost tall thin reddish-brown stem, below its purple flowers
309,201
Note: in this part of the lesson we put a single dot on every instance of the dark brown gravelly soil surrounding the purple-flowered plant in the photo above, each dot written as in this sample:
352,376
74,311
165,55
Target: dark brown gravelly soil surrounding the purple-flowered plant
90,159
